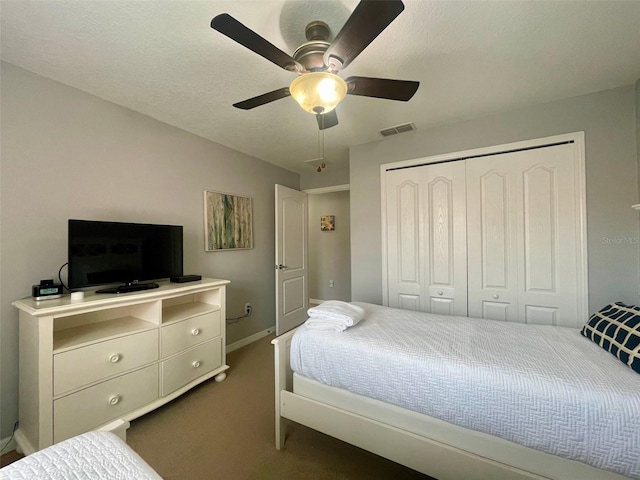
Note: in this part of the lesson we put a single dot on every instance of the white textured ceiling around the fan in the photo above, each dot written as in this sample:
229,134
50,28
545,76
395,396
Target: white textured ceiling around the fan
161,58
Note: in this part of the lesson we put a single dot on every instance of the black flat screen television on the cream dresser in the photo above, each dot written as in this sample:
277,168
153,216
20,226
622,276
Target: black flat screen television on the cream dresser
130,254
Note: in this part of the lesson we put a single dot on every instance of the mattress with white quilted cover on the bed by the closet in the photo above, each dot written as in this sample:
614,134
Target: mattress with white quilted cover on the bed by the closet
543,387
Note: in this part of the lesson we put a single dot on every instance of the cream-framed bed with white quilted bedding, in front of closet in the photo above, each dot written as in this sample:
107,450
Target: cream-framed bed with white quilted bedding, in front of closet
468,398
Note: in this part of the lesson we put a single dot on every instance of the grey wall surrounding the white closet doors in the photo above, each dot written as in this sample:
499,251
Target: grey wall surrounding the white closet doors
608,120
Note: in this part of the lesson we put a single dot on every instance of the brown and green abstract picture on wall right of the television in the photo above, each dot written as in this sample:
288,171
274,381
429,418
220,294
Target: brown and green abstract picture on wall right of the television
228,222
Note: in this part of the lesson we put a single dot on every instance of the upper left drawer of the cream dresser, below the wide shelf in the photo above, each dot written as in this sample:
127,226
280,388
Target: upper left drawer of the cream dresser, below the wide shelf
75,368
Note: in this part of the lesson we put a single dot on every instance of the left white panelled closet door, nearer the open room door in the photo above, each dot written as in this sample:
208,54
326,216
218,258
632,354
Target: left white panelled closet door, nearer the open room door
426,238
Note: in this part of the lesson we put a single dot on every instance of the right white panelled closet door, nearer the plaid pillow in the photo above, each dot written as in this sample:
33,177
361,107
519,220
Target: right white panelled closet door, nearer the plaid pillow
522,231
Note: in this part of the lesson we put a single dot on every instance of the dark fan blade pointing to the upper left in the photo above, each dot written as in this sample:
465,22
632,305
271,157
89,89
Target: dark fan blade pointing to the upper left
232,28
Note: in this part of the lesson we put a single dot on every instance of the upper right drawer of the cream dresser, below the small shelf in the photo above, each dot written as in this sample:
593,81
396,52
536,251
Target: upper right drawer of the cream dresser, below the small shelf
188,333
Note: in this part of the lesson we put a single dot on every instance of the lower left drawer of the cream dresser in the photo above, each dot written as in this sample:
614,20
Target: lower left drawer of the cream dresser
93,406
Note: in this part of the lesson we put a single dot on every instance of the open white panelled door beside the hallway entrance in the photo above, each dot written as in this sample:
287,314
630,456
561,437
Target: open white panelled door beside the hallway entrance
292,286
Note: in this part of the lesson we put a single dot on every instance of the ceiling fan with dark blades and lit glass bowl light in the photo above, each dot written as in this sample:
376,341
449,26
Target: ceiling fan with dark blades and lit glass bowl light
318,88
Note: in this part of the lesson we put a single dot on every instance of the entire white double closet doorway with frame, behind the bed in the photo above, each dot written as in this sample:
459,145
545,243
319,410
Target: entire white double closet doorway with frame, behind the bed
493,233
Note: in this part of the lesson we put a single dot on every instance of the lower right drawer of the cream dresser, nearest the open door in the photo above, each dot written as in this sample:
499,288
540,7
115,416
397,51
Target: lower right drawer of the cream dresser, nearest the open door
187,366
